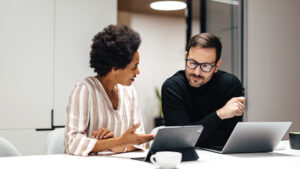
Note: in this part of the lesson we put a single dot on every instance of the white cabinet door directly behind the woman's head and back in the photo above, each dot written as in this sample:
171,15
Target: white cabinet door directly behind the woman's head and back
76,22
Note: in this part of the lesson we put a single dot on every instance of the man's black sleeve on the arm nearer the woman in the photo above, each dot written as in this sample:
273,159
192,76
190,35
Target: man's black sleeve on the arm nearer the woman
176,113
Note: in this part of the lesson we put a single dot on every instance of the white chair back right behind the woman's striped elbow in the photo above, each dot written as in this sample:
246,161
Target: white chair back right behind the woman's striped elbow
55,142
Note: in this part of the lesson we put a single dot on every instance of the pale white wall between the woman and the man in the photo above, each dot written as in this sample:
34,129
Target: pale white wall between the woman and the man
161,55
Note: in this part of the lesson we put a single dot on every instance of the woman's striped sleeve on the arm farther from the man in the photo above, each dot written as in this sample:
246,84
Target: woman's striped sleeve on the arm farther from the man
76,140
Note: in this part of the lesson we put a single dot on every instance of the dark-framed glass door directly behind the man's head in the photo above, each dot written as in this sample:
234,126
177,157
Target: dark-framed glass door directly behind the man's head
222,18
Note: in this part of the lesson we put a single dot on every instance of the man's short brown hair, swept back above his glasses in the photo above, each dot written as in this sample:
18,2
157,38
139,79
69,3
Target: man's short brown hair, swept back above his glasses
206,40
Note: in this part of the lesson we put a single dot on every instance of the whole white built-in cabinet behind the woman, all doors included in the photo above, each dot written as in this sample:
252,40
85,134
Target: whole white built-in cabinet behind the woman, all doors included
44,51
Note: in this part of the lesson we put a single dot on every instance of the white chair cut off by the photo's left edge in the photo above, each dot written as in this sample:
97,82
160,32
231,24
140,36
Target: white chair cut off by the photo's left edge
7,149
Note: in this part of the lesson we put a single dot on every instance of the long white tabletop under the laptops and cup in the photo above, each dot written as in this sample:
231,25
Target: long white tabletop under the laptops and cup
283,157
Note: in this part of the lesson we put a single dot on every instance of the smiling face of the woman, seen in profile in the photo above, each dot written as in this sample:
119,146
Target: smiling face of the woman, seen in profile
126,76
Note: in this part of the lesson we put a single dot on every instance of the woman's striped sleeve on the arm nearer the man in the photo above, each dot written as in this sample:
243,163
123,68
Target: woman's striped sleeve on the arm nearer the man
137,118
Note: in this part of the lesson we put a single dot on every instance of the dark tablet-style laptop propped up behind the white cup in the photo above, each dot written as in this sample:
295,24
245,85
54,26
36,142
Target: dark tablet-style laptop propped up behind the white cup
176,138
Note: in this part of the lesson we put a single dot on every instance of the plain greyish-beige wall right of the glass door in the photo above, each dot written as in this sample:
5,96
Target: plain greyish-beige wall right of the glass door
272,52
